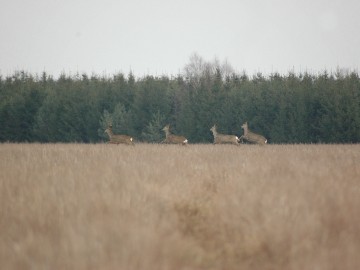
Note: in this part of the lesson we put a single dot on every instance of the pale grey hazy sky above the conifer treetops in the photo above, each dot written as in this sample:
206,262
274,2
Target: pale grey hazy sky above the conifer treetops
158,36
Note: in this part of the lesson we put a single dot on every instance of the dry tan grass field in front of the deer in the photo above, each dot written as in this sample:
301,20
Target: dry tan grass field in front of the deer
154,207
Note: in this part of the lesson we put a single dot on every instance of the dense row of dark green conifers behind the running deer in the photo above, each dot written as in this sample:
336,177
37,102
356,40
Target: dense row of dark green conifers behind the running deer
290,108
